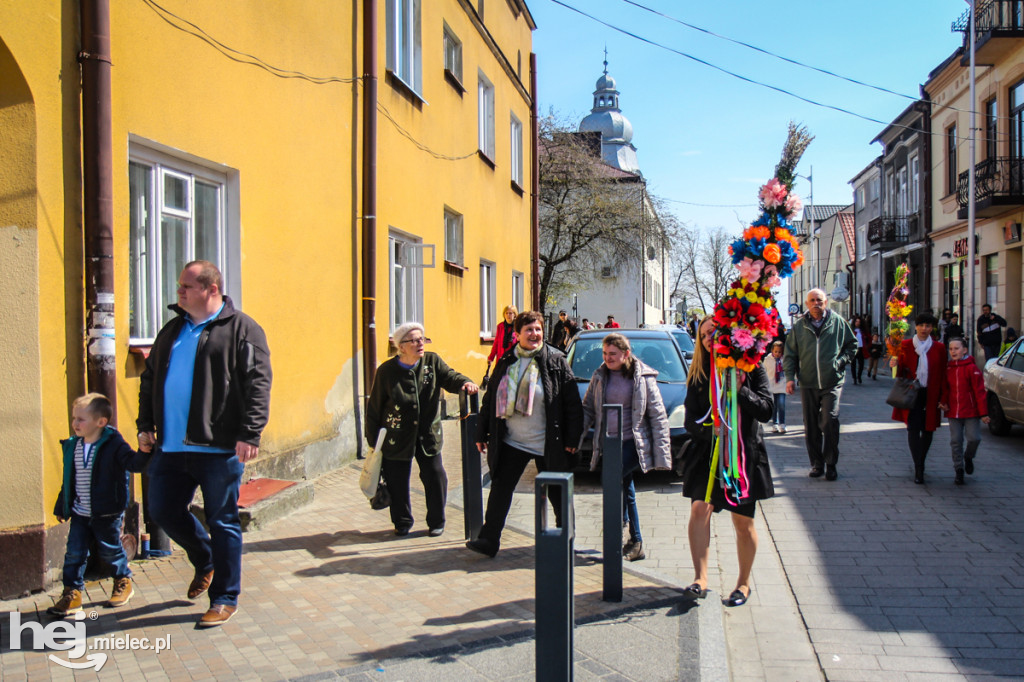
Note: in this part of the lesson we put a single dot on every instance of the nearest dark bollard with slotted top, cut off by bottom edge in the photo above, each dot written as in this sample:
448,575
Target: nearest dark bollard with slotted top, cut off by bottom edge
554,580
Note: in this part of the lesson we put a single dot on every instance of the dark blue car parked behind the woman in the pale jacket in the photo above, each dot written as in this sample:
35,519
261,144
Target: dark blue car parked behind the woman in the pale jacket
656,349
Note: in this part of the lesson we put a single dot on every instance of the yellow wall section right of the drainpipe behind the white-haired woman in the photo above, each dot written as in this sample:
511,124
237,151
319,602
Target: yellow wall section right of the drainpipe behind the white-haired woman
414,187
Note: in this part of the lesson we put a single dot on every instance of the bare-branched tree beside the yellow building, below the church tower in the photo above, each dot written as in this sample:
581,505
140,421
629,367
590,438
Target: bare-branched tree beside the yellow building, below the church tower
592,216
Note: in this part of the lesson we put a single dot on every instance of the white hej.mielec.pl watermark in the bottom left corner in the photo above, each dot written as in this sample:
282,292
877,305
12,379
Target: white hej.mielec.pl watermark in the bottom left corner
70,636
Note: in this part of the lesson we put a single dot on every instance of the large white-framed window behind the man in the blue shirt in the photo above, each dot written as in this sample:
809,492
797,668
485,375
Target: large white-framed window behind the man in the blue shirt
180,211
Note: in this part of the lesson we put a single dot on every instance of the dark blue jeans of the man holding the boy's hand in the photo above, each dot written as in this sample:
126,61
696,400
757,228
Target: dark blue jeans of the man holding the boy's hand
174,480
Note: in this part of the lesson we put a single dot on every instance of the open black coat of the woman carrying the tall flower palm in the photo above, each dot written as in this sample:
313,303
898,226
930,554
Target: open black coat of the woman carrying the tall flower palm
755,407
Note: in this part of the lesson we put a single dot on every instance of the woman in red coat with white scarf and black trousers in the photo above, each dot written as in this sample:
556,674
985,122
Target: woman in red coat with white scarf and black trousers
923,359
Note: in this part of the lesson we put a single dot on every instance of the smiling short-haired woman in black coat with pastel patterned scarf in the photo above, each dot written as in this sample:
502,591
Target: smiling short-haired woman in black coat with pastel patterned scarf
532,412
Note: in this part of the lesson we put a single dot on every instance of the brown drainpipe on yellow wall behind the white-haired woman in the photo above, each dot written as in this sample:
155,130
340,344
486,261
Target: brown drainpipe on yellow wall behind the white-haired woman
369,195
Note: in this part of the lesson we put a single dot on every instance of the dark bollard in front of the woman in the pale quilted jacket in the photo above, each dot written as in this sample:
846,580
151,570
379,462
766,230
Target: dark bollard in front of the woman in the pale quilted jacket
612,484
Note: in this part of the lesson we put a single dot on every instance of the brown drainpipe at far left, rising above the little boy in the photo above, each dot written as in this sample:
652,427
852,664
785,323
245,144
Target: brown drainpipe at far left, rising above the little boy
98,175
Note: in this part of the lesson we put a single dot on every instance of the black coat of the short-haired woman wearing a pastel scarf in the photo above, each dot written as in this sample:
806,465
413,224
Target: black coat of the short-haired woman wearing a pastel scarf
563,406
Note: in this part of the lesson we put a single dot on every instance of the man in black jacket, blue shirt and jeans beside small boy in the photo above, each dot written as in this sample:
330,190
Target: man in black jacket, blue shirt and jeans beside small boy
205,395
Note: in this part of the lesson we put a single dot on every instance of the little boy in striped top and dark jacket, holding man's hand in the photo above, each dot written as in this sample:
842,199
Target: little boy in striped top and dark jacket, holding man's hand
94,497
